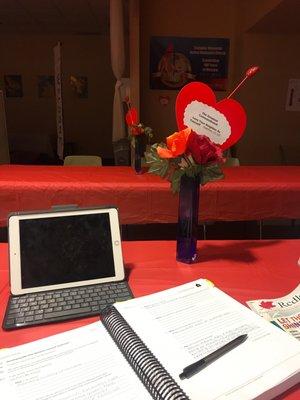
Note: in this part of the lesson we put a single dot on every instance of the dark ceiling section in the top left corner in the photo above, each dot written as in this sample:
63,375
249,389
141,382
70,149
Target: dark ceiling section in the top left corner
54,16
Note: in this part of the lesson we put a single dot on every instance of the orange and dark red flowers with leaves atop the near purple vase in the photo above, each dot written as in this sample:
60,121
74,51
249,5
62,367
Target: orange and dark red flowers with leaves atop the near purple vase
185,153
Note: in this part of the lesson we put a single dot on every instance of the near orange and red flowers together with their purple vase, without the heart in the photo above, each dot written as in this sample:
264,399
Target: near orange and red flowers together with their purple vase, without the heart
187,160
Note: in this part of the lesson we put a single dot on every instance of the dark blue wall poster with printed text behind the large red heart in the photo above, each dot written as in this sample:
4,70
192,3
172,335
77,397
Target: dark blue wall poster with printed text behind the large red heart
176,61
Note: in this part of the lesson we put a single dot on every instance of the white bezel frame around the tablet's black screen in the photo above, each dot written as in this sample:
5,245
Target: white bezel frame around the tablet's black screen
14,248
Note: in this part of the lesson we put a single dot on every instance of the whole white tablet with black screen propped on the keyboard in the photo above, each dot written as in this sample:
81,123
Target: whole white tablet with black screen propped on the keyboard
64,249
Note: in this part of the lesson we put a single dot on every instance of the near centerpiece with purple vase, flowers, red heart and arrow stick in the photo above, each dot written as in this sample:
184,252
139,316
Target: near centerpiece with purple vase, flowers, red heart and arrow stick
193,156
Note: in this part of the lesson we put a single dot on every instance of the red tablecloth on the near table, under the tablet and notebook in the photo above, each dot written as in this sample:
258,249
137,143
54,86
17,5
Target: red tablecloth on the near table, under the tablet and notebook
243,269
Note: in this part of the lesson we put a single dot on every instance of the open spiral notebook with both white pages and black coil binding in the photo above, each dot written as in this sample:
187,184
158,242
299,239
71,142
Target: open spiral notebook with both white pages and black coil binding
141,346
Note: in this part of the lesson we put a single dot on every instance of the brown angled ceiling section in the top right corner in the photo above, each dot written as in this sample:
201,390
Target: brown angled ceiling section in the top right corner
283,19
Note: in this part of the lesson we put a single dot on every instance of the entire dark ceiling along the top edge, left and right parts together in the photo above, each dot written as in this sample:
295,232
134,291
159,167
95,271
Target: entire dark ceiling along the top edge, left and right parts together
92,17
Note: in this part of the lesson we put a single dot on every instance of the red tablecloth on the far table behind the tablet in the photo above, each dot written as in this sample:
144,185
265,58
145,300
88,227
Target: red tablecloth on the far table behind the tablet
246,193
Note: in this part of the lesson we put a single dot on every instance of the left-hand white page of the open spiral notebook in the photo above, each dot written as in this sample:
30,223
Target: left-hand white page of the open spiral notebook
80,364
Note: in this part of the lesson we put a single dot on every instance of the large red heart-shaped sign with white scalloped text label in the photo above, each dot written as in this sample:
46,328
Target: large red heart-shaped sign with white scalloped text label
223,122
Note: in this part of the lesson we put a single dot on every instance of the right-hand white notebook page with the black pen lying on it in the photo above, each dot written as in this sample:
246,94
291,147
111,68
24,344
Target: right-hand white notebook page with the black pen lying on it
184,324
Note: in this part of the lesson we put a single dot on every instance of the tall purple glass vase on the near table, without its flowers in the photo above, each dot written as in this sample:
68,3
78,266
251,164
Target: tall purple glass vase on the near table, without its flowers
189,191
